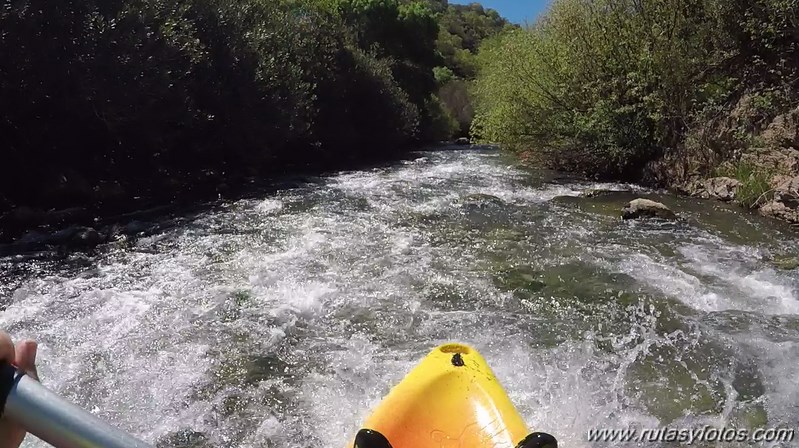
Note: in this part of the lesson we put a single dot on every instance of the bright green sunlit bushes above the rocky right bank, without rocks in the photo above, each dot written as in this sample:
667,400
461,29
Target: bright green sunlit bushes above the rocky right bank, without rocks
607,86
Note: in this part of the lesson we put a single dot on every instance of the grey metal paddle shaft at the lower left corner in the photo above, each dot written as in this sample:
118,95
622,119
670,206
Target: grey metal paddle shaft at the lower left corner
56,421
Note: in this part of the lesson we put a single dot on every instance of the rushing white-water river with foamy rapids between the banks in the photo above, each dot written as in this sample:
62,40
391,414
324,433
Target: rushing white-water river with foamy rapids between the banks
281,320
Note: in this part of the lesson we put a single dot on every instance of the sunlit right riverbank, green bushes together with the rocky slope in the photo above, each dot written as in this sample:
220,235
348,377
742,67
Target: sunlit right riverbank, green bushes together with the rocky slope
696,95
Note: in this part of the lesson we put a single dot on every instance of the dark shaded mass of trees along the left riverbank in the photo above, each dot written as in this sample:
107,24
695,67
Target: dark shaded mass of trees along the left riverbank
107,100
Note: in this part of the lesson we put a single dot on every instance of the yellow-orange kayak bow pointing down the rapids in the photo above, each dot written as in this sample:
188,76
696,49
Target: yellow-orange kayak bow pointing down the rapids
450,400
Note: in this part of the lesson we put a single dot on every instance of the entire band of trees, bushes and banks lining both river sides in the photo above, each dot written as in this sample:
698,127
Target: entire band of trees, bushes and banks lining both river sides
114,106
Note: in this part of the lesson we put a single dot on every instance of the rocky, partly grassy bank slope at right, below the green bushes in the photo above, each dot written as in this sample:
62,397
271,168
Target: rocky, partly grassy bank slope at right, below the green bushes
771,155
